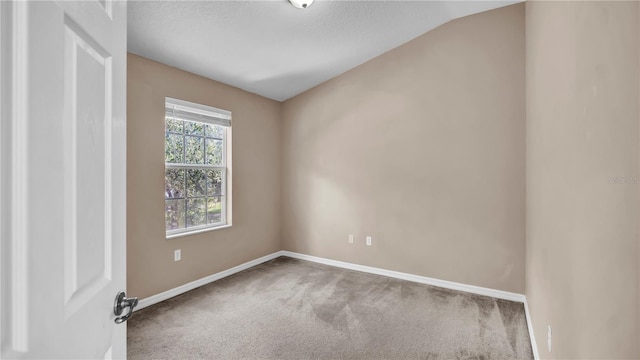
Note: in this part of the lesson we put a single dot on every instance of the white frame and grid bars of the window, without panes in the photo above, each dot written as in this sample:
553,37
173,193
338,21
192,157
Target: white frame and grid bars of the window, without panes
212,116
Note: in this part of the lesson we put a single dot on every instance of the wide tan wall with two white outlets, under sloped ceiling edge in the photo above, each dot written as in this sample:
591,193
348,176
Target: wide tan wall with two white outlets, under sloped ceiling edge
421,148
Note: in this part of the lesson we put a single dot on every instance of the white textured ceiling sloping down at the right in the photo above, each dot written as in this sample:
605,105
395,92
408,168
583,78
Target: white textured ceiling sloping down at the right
275,50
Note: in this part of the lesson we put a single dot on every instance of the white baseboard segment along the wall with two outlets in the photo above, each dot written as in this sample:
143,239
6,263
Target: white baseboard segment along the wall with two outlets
498,294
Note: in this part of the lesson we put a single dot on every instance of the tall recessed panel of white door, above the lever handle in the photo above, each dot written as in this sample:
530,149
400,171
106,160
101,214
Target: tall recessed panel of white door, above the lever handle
86,141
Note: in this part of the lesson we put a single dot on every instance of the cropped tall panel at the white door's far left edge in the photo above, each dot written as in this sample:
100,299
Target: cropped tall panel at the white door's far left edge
13,176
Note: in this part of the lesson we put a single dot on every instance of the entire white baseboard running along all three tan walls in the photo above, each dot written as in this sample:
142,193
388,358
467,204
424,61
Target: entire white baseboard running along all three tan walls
498,294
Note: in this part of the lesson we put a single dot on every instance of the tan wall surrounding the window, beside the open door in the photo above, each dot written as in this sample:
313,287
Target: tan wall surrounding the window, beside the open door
256,180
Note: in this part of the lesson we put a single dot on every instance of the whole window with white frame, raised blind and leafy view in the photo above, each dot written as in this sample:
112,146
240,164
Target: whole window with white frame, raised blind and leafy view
196,166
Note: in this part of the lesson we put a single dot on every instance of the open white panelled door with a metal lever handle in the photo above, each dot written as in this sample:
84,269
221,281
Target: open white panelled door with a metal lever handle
62,152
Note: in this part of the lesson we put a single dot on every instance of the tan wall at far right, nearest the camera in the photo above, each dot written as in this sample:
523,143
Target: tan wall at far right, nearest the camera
582,131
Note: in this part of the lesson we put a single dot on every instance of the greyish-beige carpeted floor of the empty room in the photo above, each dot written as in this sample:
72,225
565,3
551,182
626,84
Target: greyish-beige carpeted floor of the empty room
292,309
